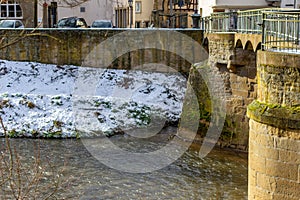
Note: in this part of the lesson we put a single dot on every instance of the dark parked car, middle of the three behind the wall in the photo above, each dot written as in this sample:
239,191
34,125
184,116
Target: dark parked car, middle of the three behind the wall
72,22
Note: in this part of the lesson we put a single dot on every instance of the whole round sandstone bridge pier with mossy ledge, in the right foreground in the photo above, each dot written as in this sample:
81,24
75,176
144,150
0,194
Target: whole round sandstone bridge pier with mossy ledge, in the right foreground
274,137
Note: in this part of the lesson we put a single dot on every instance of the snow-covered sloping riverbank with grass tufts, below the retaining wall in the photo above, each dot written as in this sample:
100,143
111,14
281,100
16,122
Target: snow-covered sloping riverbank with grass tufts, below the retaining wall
50,101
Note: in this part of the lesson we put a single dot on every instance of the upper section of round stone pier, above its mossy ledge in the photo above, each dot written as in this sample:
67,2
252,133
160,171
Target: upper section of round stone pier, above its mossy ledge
278,78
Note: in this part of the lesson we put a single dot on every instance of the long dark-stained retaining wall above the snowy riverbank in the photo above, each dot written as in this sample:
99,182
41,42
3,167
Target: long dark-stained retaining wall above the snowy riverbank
62,46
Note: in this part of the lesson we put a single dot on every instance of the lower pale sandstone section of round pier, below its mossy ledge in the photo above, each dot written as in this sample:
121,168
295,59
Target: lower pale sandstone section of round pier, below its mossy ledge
274,162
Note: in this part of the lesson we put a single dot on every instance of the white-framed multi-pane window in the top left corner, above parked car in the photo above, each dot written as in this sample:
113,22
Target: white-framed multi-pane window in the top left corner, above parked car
10,9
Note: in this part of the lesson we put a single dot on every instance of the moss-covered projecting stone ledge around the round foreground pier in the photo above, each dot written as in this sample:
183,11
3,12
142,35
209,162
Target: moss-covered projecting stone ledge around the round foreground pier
275,115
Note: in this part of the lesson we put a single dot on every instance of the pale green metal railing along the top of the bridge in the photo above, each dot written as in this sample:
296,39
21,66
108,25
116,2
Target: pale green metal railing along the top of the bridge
279,27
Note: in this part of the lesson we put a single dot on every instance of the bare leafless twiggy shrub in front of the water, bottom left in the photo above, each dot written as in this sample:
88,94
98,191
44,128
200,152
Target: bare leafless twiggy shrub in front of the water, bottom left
22,178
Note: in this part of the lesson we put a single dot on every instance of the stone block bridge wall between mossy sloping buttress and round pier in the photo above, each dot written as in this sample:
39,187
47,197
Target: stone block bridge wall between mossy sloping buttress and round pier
238,69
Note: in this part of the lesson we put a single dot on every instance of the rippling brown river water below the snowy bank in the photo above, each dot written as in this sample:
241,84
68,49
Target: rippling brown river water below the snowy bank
220,175
